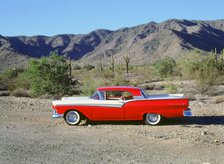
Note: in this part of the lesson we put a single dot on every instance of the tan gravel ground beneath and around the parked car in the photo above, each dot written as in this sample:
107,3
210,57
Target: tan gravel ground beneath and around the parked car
28,134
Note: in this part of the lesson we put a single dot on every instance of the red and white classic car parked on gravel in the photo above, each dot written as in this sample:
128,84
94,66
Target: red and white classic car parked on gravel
121,103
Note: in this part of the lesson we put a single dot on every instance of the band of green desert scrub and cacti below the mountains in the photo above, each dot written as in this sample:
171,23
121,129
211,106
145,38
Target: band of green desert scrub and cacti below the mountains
51,75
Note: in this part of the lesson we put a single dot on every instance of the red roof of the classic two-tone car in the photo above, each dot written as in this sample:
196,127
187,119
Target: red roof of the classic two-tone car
135,91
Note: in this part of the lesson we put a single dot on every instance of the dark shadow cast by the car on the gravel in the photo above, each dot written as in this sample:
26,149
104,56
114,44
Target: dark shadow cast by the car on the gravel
195,120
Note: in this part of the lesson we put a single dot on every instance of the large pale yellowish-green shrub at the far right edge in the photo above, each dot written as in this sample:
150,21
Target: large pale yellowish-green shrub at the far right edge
204,69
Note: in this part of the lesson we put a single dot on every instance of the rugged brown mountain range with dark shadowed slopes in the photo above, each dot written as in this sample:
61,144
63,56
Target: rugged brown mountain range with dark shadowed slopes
144,43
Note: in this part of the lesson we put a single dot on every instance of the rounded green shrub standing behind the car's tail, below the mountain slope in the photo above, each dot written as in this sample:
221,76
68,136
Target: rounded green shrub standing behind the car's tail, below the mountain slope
165,67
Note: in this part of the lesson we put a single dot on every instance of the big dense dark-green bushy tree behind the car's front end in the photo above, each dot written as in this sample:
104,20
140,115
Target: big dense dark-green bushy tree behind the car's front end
49,75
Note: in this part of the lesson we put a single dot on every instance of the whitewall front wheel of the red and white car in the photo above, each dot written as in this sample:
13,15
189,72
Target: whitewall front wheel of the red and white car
72,117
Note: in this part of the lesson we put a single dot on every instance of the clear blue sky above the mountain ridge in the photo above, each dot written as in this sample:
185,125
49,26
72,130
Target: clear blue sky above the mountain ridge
52,17
